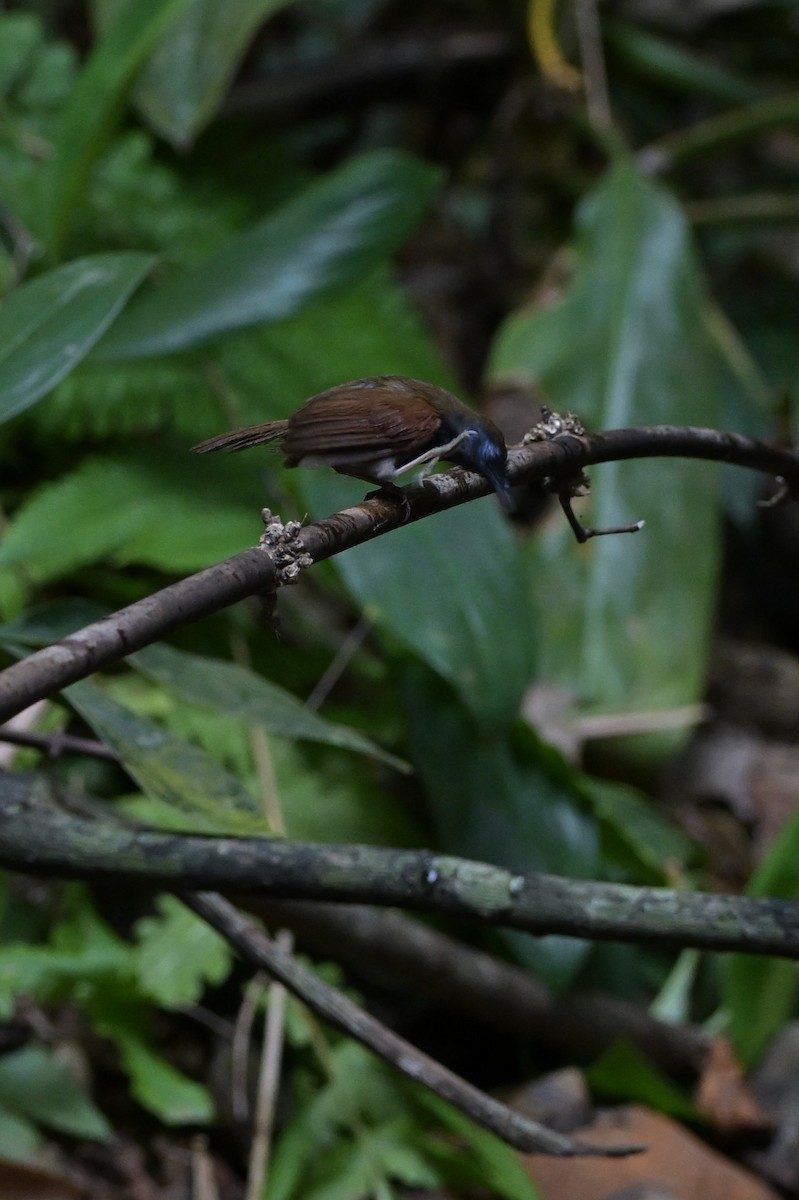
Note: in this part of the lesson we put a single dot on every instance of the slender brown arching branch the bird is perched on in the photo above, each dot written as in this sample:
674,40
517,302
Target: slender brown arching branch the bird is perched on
254,571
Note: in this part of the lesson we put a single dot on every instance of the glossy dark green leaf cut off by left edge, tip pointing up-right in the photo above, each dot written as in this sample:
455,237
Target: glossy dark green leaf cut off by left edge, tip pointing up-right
49,326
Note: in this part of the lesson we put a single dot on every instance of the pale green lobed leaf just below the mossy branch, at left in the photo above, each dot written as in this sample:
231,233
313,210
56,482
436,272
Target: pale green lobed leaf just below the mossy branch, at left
178,955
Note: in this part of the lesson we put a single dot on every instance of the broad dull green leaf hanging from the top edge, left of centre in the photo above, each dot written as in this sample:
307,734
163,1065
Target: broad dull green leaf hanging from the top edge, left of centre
194,64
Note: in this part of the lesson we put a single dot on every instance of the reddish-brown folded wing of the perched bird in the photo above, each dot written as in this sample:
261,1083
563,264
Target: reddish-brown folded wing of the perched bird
370,421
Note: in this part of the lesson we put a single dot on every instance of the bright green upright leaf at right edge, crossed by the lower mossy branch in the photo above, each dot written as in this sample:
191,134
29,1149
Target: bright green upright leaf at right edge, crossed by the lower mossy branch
760,994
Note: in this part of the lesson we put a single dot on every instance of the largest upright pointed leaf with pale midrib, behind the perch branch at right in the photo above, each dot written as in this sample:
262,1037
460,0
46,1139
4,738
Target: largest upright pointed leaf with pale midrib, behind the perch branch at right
626,621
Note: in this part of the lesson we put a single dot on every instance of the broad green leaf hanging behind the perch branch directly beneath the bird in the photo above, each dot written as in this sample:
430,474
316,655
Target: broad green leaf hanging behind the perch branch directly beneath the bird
453,591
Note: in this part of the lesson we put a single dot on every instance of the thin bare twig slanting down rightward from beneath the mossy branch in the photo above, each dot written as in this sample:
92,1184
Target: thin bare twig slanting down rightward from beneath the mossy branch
331,1004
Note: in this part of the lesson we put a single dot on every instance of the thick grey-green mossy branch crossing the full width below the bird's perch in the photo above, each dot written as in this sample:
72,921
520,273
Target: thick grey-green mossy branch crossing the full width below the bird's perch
44,839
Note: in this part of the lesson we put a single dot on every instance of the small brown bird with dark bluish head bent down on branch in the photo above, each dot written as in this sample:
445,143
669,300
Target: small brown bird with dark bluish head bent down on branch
377,429
